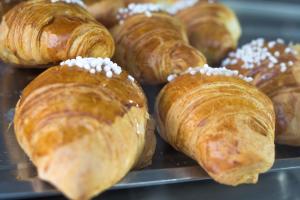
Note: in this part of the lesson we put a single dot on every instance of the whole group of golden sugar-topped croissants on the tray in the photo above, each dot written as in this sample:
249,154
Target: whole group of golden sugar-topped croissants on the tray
84,122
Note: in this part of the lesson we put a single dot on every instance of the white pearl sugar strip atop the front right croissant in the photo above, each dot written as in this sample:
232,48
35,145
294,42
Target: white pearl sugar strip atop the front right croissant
209,71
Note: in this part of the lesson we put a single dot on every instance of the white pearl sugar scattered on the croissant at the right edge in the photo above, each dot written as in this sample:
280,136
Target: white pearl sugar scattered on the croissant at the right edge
258,51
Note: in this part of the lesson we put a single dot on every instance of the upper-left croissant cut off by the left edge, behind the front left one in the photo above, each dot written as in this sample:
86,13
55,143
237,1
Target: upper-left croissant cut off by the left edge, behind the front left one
40,32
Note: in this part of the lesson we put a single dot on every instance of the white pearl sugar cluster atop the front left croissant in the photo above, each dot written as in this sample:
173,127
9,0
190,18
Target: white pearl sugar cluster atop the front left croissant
96,65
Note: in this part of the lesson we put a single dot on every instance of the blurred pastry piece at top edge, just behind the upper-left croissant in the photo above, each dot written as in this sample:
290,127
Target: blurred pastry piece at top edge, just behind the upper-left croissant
104,11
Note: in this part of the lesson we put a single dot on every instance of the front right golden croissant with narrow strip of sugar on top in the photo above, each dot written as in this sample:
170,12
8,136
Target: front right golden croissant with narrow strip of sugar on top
219,120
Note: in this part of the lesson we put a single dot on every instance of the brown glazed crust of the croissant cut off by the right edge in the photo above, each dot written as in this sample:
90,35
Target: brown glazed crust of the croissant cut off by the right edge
283,89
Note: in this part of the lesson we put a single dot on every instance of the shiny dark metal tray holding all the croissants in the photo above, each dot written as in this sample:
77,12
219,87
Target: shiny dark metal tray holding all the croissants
18,177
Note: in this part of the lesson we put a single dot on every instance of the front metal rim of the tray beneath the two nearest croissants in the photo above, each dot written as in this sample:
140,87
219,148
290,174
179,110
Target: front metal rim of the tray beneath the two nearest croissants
134,179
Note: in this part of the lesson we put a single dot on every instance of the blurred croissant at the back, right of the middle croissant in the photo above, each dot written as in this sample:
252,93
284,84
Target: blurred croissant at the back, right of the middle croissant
212,28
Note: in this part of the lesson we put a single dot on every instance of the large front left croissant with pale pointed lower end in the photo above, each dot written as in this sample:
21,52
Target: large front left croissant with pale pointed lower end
84,130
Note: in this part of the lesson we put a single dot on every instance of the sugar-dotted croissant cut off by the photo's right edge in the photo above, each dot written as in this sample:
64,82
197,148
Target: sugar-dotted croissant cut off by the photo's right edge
275,68
